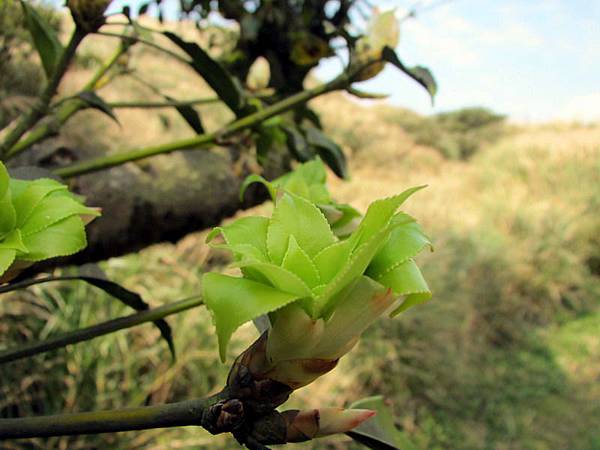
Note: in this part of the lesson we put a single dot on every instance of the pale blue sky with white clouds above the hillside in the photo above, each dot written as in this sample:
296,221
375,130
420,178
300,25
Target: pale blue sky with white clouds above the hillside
534,60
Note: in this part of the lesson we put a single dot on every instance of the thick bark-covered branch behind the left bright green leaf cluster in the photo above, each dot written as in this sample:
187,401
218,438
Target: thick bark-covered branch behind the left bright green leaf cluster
161,199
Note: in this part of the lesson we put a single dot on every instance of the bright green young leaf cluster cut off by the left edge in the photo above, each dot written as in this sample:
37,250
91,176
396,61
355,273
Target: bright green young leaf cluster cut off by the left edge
39,219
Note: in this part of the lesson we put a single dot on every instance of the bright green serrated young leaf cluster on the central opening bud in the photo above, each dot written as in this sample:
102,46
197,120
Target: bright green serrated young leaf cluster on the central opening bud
295,257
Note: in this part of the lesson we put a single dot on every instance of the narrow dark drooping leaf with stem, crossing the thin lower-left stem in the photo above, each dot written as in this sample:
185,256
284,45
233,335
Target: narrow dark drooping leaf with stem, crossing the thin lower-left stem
129,298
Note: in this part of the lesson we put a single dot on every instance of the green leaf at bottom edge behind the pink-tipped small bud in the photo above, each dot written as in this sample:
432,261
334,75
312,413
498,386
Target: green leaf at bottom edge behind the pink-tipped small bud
379,433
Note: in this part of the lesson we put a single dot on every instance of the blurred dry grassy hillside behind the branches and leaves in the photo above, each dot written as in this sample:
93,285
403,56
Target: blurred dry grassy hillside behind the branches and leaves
505,356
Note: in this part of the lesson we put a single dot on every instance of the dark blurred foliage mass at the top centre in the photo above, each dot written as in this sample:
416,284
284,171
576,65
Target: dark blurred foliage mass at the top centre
292,35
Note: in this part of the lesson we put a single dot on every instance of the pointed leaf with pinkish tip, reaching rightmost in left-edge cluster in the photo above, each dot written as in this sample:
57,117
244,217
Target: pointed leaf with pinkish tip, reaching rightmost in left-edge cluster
51,210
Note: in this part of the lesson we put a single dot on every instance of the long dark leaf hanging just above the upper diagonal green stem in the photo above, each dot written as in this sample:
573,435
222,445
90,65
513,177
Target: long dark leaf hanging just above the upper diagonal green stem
214,74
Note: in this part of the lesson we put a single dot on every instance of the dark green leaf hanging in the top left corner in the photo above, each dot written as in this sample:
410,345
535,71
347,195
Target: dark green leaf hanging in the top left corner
44,38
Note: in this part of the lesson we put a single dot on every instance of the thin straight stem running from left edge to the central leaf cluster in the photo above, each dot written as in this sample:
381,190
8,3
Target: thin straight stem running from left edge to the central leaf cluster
101,329
